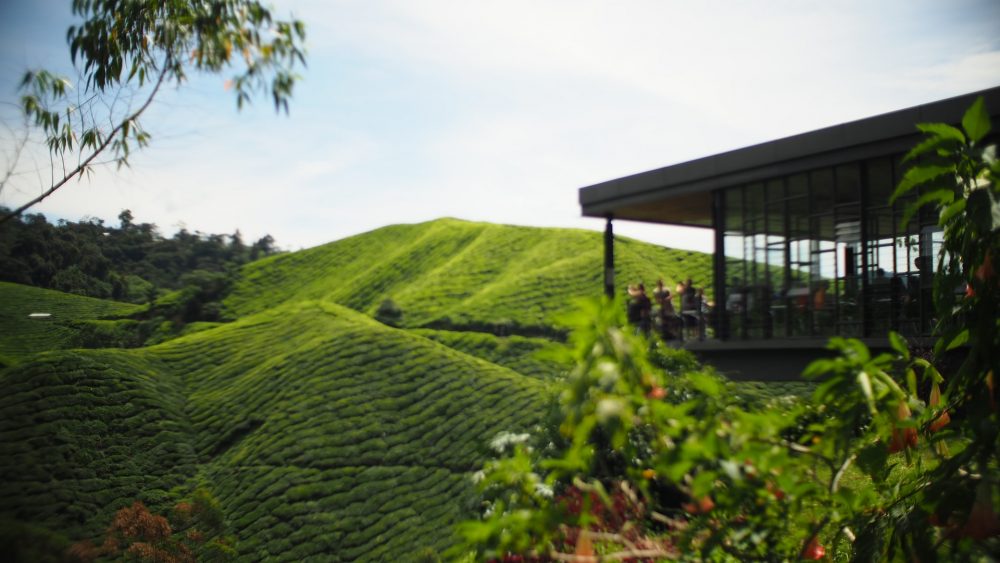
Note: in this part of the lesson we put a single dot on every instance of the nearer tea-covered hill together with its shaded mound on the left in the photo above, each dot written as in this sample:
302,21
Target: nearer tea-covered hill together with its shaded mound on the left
321,431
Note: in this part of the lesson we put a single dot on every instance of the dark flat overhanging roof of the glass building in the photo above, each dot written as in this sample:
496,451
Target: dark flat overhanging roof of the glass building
681,193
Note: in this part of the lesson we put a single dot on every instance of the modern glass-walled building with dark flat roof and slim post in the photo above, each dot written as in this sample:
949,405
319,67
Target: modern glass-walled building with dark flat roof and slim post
807,244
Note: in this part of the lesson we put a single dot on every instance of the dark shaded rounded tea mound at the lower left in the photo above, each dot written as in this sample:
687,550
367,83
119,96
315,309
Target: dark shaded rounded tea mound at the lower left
82,432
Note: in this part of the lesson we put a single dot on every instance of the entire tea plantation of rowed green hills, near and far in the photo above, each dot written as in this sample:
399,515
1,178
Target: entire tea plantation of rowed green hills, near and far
322,432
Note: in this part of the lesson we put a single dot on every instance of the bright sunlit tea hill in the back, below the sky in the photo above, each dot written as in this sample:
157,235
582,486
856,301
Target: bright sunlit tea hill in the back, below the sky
456,274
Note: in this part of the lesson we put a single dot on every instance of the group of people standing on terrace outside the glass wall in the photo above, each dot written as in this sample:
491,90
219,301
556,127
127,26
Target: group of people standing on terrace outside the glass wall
670,314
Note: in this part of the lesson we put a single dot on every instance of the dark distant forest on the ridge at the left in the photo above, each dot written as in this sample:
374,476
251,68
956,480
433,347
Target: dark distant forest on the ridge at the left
132,262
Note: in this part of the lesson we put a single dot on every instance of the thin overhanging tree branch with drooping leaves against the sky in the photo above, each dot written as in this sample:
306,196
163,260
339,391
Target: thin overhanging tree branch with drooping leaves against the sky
126,50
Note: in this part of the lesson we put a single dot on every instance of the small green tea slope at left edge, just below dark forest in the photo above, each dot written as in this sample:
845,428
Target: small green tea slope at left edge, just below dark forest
21,335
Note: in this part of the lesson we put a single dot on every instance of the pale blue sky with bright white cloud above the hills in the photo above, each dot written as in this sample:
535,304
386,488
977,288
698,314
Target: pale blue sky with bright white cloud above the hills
412,110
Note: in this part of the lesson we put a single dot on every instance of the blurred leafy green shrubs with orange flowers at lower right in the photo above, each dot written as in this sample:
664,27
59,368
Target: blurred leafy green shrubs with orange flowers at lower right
888,460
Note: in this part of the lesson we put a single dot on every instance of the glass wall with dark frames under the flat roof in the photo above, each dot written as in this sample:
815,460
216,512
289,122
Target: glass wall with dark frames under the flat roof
822,253
